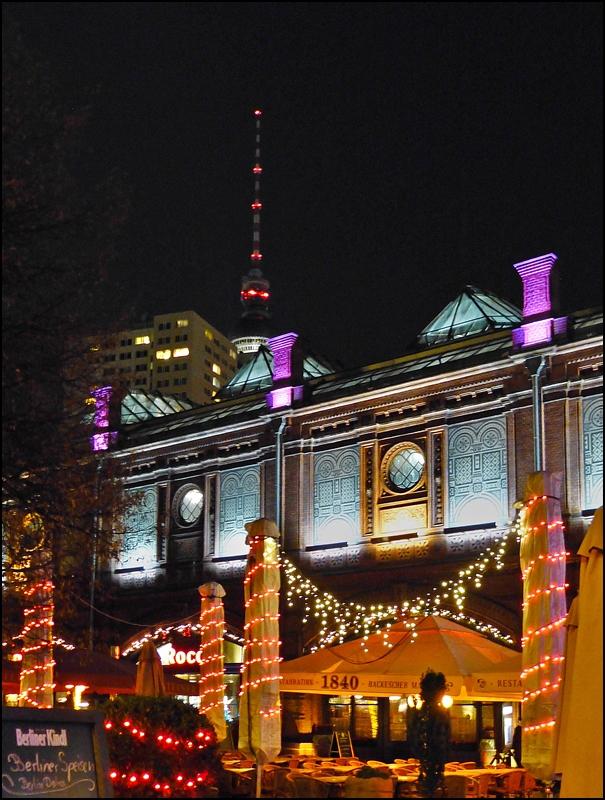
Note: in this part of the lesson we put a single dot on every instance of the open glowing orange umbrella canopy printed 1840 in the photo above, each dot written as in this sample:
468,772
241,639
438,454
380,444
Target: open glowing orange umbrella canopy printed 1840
391,662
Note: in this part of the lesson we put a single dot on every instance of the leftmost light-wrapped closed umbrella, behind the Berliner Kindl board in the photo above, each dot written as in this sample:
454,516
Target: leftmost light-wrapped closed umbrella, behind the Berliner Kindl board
36,684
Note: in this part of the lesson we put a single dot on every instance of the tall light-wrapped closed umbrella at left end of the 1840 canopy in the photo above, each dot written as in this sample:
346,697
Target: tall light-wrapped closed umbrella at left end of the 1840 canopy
260,712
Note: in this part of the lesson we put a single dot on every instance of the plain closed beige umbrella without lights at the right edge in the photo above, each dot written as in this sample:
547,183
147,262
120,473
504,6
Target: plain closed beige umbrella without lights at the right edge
579,730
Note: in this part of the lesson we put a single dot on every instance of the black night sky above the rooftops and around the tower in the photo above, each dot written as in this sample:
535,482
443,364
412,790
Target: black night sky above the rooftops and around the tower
407,148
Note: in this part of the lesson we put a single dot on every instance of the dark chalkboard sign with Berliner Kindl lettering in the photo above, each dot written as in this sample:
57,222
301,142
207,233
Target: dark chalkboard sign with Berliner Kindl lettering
54,753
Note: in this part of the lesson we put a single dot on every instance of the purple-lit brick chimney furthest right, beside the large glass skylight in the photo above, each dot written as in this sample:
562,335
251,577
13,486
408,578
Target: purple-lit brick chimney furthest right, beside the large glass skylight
540,301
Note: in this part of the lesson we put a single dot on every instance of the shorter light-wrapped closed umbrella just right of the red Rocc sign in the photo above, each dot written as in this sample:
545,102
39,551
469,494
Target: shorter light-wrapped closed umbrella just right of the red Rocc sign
212,684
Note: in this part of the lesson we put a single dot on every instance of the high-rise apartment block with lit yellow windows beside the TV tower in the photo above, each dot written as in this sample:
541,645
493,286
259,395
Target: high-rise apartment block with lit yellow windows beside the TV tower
180,354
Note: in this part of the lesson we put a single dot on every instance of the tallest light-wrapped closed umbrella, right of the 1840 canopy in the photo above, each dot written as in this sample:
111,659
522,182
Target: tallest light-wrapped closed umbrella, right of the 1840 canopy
543,558
